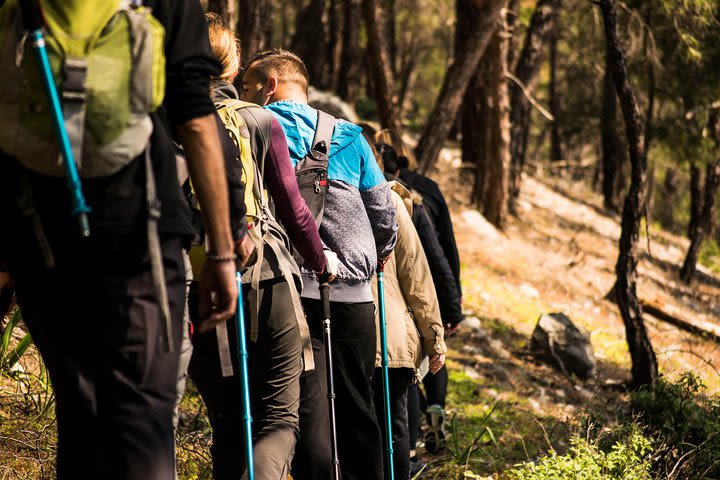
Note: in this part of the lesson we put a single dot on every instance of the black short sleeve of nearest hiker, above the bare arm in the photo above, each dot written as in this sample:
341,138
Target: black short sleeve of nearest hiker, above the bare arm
189,59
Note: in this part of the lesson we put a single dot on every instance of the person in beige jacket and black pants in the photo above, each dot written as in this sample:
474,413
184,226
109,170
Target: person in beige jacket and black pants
414,329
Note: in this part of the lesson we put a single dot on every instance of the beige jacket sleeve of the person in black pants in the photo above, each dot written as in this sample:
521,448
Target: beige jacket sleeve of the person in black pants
416,283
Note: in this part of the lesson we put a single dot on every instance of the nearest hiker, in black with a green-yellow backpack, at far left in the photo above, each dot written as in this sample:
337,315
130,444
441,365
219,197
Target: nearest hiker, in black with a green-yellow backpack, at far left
92,303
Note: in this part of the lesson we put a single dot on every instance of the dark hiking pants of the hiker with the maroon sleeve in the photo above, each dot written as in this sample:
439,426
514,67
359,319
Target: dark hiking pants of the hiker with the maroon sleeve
274,366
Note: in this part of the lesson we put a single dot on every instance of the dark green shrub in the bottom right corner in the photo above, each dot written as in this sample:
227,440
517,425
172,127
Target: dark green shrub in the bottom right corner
686,423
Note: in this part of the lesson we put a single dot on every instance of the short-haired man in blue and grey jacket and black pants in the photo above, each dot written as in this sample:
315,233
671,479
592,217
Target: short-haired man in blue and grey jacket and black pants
359,224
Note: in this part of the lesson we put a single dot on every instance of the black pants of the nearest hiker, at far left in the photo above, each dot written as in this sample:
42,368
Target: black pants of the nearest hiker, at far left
96,322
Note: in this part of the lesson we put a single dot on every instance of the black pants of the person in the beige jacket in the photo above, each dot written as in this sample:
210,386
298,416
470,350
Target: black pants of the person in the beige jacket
399,380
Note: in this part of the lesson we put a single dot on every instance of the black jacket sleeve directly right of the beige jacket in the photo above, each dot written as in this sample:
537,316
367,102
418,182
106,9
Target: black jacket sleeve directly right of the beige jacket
442,274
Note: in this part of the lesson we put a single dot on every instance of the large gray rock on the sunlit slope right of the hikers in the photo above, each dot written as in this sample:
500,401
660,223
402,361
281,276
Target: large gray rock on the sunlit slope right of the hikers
564,345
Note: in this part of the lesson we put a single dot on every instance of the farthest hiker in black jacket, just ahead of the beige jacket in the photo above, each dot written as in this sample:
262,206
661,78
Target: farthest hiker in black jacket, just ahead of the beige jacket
436,207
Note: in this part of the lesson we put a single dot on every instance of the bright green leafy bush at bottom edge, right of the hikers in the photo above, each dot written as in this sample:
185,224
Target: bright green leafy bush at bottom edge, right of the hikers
627,459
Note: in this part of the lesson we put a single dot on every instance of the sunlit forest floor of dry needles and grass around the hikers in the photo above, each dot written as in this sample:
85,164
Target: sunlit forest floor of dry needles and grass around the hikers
557,255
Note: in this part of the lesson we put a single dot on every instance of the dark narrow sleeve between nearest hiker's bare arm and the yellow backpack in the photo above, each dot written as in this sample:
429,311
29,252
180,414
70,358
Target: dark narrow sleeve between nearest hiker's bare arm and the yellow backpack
236,187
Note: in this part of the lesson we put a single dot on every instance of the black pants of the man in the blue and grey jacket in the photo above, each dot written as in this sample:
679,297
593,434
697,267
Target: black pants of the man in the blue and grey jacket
358,433
